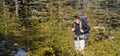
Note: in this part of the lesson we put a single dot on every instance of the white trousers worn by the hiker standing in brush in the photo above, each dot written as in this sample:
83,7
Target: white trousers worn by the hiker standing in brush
80,43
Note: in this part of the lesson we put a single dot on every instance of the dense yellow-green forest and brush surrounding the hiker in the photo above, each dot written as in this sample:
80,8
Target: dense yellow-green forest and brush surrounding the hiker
43,27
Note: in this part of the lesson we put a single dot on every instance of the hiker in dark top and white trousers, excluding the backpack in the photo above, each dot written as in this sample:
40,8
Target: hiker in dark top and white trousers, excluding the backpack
79,28
